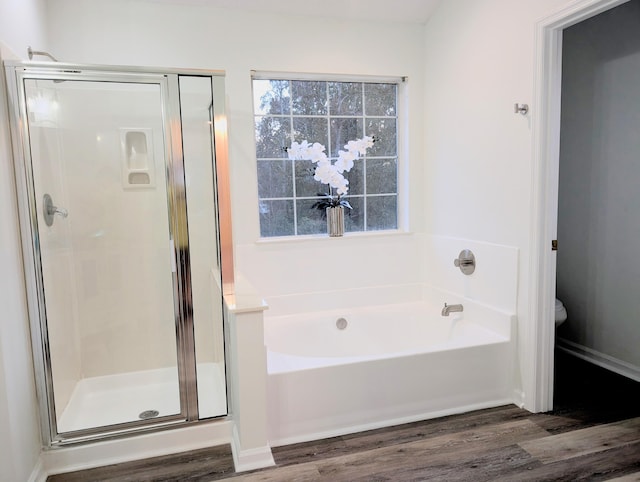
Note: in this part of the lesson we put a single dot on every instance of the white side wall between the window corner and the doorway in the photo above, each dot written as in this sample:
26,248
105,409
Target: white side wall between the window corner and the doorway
480,57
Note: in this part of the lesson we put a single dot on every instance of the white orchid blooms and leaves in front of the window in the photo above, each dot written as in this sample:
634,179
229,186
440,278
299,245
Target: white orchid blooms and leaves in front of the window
330,173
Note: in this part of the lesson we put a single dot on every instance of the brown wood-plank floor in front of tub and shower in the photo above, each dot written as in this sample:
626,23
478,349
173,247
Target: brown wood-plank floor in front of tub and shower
592,434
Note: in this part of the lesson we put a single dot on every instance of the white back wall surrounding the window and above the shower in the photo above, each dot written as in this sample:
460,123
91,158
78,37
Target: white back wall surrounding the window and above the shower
141,33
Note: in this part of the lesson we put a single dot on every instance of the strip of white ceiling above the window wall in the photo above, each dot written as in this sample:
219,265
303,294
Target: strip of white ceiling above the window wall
408,11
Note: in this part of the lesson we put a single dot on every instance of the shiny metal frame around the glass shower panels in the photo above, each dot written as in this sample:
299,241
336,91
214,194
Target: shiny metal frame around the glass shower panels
167,80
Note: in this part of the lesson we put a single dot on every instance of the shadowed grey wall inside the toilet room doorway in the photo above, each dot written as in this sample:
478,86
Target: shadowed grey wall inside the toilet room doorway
598,270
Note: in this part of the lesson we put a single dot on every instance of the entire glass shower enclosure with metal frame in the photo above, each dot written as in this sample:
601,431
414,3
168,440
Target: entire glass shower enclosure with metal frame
116,174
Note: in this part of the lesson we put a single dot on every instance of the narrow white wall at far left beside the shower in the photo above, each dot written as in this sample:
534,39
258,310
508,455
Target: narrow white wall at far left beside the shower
20,24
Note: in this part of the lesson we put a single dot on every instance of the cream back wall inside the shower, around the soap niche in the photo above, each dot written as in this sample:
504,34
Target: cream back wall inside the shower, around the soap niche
123,272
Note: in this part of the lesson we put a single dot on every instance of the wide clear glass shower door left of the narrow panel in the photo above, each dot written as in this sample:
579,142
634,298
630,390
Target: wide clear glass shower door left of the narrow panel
109,228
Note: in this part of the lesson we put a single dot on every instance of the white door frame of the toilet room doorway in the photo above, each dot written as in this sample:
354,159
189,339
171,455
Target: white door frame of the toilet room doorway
544,216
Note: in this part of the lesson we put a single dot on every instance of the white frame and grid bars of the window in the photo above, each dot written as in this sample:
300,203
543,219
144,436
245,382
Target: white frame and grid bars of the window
401,192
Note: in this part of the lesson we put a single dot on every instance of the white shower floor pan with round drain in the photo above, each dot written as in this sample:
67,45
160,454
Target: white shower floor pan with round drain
128,397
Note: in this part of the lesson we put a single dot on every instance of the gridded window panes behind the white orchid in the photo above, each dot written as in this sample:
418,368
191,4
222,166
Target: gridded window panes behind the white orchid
330,113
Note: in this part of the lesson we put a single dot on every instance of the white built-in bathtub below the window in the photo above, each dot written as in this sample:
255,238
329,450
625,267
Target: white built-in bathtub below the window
390,364
